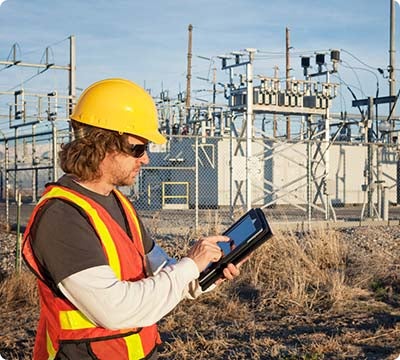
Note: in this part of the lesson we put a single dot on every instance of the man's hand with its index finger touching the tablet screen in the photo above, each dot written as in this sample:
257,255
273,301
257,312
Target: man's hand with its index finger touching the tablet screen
206,251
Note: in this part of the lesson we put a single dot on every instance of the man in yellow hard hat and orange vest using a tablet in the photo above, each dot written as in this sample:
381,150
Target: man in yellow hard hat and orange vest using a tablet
103,282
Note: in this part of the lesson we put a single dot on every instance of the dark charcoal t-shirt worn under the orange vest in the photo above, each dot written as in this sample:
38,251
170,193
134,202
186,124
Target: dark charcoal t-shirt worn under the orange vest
65,242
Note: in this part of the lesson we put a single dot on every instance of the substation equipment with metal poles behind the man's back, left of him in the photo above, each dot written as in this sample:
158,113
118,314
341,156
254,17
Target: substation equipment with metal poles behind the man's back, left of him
37,124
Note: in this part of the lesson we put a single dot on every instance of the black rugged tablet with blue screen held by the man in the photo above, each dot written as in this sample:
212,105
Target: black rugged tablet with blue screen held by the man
246,234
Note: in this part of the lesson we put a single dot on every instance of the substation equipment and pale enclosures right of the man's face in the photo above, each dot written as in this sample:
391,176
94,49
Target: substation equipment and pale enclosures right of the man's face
217,157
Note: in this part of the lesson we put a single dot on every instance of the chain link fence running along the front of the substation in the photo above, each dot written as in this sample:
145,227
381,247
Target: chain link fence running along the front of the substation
194,181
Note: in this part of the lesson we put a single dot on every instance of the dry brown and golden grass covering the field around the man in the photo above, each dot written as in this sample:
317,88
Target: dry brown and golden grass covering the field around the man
300,296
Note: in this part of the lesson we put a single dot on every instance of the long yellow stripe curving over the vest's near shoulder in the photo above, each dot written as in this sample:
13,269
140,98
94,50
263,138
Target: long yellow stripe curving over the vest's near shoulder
104,234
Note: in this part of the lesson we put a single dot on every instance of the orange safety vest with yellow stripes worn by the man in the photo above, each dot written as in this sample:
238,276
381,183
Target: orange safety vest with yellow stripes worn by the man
60,321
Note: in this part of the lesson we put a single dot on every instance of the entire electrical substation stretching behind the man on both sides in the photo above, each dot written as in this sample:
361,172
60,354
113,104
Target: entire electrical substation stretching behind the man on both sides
228,155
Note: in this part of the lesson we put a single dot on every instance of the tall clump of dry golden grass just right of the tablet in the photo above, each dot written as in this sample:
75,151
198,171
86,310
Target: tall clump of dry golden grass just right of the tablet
300,273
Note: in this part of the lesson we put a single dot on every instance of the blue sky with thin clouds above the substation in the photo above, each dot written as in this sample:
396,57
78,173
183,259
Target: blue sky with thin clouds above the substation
146,41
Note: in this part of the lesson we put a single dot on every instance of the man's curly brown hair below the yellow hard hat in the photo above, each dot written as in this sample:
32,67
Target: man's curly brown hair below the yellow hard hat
82,156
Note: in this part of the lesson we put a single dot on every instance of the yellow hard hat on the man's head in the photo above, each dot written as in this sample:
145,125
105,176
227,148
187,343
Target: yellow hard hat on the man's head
119,105
